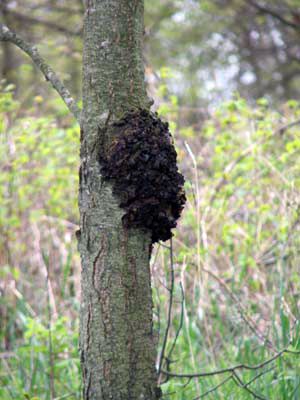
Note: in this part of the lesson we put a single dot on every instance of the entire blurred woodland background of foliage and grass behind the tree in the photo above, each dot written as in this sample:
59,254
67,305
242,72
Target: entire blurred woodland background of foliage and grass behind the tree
226,75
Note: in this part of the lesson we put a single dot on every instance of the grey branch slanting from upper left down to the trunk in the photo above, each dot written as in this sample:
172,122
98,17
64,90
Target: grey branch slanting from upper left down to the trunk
7,35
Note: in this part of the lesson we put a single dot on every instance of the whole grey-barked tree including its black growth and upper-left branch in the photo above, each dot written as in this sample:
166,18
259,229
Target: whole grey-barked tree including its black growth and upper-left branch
130,196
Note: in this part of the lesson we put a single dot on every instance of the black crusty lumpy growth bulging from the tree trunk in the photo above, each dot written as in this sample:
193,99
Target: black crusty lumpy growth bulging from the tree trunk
141,162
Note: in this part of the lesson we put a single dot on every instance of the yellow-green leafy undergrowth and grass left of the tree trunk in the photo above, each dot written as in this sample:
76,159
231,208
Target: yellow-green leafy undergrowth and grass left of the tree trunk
38,185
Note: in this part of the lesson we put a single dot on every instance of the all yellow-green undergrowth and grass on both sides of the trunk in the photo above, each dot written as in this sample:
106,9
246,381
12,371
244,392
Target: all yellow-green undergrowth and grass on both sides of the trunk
235,251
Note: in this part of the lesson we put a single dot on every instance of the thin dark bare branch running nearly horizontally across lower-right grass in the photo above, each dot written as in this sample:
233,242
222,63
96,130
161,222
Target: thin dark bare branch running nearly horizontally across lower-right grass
231,369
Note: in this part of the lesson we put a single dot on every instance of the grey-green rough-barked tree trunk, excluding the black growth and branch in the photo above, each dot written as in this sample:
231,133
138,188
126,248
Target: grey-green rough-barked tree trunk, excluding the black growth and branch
116,340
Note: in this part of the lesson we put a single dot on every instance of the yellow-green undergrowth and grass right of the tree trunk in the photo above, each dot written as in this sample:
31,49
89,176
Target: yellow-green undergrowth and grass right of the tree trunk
236,252
